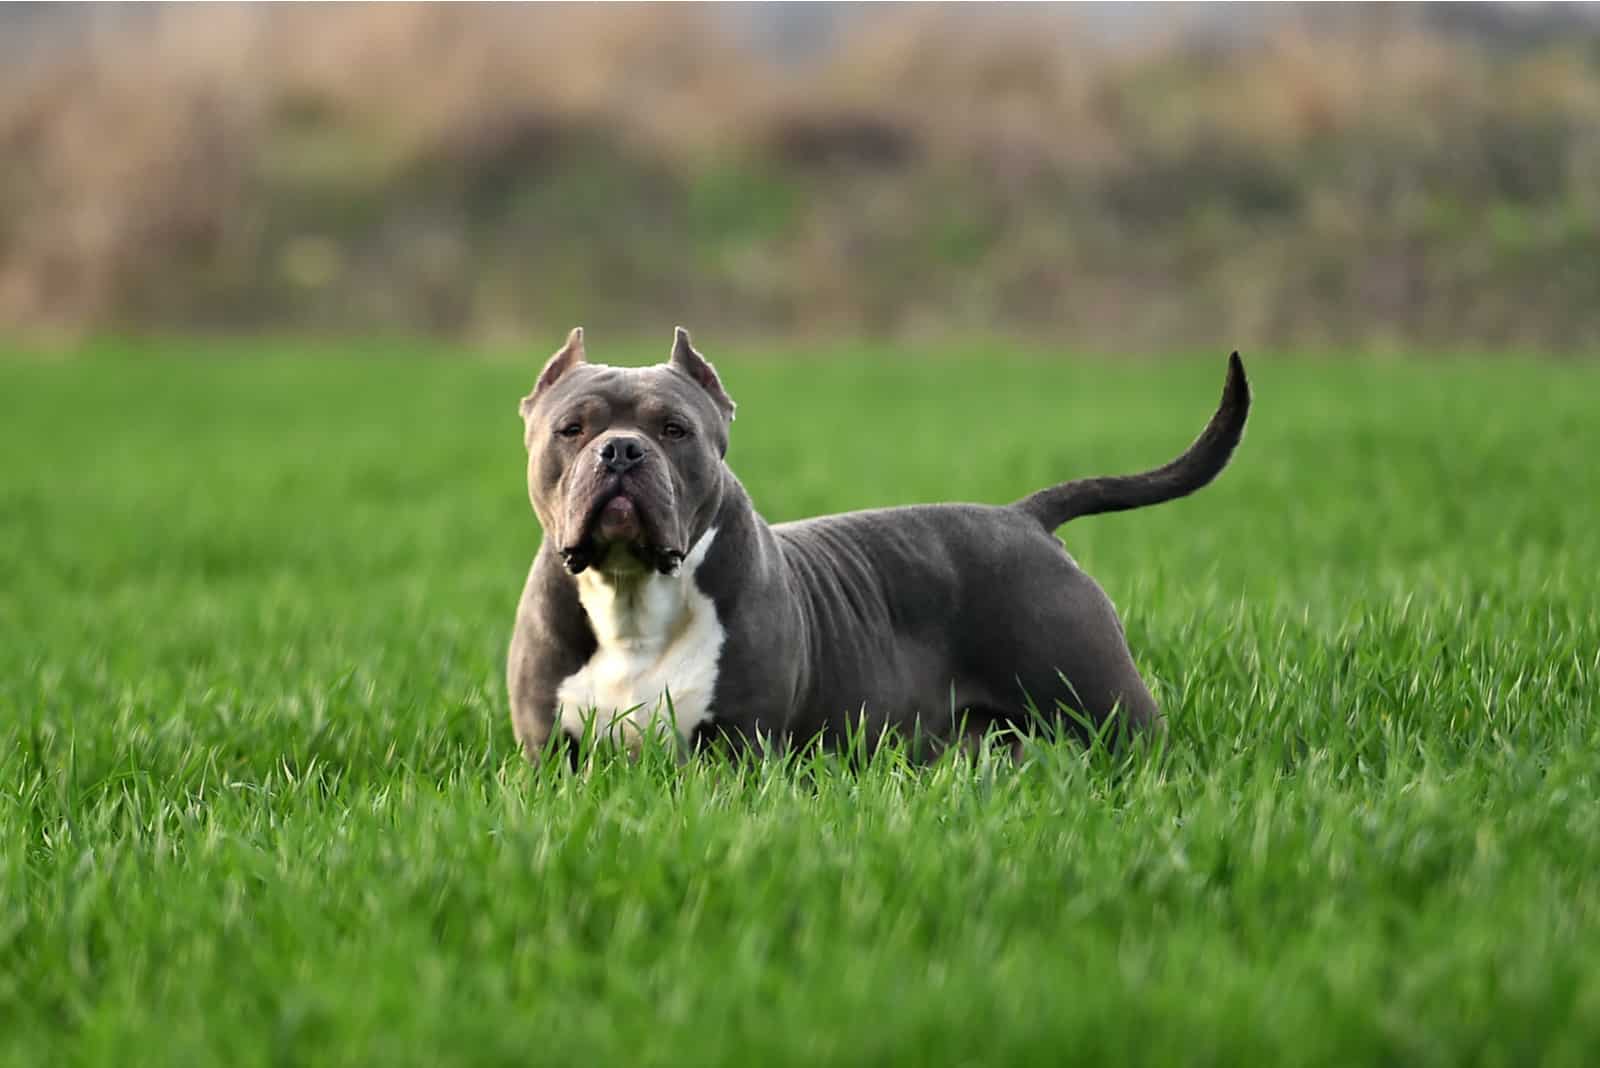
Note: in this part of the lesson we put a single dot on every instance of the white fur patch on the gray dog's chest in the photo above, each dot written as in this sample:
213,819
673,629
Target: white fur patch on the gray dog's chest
655,669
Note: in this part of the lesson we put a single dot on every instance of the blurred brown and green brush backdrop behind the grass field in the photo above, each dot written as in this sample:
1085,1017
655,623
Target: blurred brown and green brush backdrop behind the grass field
1102,177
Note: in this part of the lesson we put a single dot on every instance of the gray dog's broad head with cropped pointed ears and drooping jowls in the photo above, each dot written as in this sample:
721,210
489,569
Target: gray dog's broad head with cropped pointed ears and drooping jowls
625,464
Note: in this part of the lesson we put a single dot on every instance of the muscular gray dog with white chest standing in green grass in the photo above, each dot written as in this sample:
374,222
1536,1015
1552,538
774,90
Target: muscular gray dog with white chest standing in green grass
660,602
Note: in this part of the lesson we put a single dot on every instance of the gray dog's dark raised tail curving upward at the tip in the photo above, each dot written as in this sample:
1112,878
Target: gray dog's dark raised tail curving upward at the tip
1194,469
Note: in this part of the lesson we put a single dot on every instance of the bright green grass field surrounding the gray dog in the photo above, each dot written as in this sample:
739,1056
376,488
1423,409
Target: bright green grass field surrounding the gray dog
260,800
